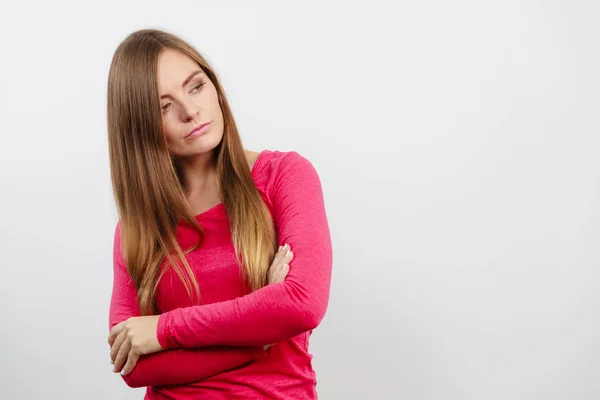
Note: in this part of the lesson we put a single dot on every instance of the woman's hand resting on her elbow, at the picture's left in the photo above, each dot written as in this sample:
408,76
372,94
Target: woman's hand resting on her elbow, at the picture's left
132,338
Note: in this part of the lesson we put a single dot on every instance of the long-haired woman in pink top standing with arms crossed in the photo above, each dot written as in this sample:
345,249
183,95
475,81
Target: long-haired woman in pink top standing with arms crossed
208,299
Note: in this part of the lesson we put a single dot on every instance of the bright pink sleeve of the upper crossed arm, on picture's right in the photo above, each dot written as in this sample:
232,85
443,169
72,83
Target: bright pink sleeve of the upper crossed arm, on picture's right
278,311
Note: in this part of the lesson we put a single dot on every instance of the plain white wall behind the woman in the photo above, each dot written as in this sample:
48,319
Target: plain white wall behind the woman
457,143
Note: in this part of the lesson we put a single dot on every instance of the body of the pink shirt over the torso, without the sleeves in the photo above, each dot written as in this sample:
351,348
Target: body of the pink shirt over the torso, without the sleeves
286,371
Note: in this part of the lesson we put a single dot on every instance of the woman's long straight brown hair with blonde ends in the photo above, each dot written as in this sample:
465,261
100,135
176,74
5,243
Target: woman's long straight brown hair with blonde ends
146,185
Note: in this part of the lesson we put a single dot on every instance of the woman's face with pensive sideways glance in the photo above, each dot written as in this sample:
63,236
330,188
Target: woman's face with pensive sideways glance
188,99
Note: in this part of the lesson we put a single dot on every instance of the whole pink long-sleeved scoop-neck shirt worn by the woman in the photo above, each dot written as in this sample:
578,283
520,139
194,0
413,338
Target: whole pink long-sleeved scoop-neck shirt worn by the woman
215,350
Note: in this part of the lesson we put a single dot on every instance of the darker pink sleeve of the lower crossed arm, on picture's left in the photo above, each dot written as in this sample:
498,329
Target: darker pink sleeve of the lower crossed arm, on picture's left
169,366
